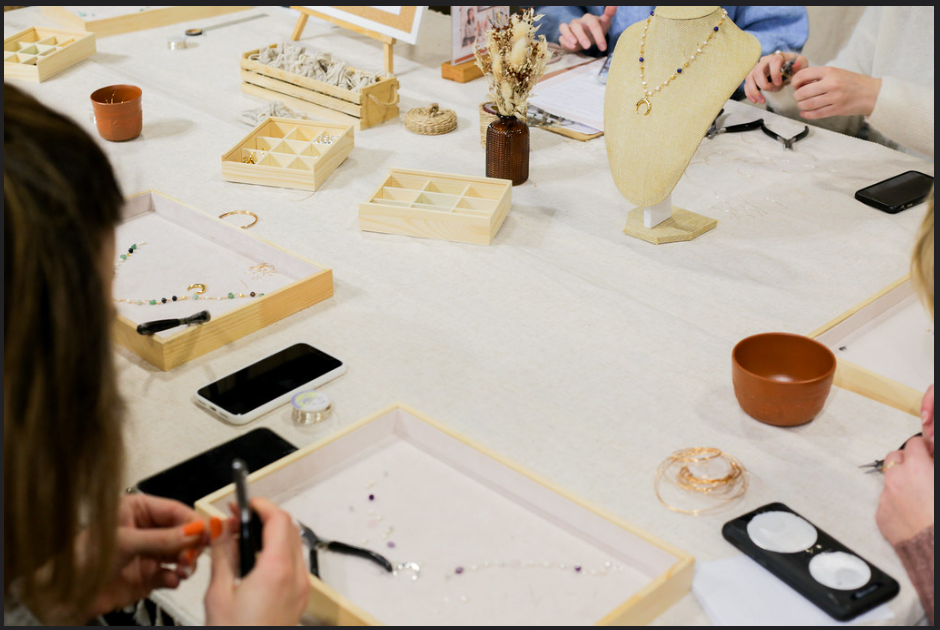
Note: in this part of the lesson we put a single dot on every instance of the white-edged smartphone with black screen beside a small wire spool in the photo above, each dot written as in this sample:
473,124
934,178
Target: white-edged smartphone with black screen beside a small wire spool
261,387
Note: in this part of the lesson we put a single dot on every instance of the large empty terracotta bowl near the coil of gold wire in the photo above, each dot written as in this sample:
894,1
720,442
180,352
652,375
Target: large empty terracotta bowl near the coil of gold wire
781,378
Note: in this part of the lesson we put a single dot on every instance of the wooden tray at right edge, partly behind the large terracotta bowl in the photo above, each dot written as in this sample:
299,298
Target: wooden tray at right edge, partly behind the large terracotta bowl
884,347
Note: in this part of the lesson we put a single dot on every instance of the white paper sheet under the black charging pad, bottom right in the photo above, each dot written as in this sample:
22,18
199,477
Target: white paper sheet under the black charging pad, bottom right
739,592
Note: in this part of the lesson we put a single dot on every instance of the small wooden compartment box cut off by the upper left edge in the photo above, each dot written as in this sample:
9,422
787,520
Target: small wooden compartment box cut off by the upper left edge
39,53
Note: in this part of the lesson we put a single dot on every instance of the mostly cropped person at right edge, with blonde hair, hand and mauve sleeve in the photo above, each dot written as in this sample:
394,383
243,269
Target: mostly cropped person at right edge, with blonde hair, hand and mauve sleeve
905,510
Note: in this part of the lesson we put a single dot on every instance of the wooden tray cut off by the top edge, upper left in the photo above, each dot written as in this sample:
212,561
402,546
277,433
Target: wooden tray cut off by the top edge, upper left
106,21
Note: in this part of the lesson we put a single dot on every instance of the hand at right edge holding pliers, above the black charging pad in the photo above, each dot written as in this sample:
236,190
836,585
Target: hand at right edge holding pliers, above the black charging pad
906,505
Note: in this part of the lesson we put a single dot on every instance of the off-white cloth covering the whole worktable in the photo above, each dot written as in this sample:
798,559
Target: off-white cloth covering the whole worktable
585,355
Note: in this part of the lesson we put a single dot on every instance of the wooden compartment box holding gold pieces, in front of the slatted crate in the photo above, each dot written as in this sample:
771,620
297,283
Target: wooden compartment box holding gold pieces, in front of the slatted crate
288,153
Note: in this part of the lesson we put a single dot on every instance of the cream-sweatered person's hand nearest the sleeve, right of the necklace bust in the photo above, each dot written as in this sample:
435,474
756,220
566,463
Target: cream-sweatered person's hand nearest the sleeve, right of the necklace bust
826,91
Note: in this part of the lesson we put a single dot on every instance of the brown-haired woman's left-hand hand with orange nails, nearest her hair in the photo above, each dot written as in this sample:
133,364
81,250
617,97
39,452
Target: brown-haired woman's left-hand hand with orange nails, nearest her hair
152,532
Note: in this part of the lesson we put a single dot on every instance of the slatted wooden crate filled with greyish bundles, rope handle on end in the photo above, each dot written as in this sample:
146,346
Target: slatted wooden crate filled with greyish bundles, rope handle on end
320,84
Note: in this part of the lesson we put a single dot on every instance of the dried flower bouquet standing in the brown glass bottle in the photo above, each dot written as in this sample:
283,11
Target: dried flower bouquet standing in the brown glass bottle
513,60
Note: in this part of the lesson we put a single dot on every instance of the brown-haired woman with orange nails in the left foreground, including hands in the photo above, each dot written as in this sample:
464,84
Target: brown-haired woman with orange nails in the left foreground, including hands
74,548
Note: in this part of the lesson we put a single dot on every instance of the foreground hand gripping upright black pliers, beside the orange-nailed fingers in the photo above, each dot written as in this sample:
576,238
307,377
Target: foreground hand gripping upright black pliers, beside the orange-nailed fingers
275,591
